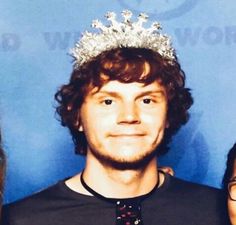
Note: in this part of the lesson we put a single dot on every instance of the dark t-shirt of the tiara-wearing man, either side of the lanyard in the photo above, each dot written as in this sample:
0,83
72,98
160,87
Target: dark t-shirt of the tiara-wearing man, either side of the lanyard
176,202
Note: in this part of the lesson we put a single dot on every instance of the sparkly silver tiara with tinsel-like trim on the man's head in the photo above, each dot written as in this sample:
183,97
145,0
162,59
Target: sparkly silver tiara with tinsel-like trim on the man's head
122,34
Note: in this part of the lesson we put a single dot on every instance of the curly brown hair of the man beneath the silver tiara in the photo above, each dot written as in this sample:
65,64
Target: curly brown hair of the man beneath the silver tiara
125,65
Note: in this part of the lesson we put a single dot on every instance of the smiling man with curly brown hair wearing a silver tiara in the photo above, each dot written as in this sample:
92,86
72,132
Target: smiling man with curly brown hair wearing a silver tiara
125,99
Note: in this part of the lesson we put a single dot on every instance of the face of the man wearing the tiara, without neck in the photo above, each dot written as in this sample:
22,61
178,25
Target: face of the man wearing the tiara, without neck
124,123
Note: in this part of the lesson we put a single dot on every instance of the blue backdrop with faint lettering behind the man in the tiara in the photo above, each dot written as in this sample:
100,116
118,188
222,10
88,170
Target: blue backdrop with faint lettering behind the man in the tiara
35,37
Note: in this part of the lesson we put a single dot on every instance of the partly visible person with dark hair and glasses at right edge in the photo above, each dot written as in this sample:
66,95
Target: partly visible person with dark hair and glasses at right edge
229,183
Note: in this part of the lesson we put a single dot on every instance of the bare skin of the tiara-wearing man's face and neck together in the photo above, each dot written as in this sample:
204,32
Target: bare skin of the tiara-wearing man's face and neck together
129,125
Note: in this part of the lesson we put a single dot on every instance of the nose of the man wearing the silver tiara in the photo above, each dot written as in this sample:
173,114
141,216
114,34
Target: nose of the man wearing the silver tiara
128,114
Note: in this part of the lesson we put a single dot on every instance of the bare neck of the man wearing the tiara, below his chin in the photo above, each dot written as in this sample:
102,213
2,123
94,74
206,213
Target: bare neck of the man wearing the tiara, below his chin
114,183
